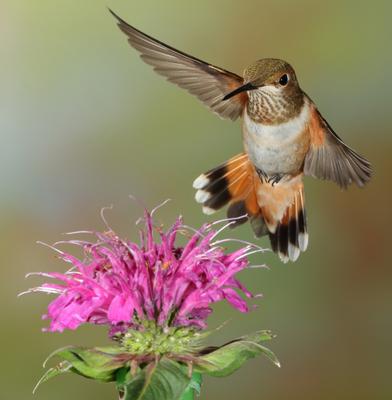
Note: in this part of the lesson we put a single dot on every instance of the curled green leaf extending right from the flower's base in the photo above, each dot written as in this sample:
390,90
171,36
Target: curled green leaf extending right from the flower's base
230,357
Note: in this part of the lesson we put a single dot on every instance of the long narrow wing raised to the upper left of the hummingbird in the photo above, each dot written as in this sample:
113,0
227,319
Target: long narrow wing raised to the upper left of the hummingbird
207,82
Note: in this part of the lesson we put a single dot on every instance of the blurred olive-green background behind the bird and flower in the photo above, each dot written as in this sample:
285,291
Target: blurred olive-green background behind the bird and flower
84,123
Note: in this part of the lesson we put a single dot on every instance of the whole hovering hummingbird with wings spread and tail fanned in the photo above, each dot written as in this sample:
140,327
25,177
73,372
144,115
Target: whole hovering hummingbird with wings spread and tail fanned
284,139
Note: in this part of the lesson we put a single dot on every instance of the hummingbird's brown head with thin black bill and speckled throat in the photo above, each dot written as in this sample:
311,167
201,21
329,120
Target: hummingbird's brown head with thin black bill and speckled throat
273,91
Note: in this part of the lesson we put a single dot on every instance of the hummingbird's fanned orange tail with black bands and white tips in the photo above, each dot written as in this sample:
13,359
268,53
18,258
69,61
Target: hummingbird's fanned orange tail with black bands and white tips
276,210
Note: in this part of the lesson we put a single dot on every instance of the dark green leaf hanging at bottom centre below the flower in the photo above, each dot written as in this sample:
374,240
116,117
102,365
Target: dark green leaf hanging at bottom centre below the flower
162,380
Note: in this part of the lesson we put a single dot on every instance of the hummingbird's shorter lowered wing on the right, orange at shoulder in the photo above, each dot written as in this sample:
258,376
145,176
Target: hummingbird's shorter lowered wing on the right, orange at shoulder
330,158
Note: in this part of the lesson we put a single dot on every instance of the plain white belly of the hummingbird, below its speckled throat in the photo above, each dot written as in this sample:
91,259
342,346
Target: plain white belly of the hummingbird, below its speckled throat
277,149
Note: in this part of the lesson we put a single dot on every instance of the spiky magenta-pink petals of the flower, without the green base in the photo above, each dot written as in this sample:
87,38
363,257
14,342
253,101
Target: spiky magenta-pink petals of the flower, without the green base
121,283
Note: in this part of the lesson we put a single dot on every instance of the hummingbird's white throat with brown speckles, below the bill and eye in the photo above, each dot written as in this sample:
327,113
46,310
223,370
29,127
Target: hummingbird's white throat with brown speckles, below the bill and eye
271,108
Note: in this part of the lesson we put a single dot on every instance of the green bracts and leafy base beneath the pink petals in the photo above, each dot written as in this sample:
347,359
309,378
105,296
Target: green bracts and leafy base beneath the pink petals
161,375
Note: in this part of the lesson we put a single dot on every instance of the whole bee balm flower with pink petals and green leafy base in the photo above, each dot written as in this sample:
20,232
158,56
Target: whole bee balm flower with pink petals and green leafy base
155,297
